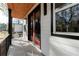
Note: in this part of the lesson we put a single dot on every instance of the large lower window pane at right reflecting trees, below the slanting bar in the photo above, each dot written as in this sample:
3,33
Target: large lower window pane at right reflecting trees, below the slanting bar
68,20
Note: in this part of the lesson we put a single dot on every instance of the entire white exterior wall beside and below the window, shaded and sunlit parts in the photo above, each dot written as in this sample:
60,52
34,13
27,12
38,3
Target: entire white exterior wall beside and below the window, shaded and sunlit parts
52,45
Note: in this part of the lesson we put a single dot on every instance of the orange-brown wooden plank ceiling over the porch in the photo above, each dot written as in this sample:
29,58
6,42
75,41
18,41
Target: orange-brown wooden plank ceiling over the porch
19,10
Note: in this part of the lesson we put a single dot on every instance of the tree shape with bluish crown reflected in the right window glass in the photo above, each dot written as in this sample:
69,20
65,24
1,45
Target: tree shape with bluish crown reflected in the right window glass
66,15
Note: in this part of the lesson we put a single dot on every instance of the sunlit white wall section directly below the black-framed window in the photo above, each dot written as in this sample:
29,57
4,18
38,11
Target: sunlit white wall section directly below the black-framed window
63,46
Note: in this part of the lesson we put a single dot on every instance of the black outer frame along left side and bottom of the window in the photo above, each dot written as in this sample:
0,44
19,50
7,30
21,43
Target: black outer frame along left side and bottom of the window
60,35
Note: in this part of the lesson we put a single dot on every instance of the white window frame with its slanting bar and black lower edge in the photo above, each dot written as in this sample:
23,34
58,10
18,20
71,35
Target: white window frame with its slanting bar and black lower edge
62,34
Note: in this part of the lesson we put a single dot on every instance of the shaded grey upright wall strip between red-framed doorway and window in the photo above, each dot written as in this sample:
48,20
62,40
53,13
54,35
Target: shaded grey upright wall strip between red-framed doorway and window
45,29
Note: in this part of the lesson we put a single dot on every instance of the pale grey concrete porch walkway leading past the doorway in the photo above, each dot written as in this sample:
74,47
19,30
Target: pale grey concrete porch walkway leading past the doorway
22,47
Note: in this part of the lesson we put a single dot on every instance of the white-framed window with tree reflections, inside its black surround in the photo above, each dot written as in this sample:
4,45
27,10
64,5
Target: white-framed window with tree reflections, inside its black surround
66,19
